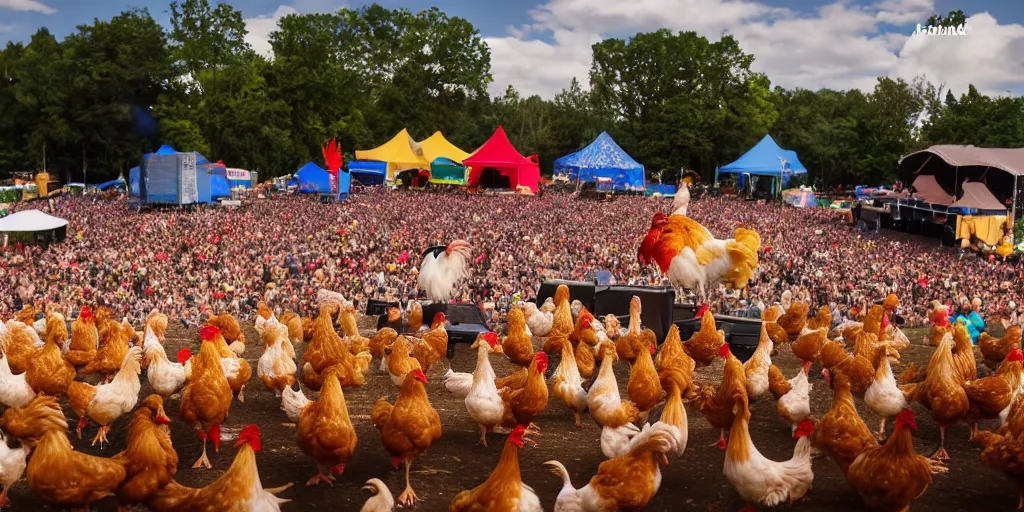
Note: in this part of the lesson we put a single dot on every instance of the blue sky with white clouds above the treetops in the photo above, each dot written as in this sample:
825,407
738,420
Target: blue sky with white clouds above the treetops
540,47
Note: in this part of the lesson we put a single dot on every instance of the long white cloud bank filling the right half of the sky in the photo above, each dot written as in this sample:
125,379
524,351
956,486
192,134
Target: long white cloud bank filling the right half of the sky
841,46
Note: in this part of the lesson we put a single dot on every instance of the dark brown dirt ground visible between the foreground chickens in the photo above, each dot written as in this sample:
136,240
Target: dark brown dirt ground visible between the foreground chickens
456,463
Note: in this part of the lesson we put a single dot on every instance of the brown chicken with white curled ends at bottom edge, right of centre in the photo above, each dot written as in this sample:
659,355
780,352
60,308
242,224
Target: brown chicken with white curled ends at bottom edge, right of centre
627,483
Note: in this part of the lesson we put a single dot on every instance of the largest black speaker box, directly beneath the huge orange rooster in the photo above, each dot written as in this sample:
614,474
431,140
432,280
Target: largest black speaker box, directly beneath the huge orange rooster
656,307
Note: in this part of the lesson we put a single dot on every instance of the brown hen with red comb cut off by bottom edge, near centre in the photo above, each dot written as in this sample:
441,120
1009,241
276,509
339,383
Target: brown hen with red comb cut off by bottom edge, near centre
504,490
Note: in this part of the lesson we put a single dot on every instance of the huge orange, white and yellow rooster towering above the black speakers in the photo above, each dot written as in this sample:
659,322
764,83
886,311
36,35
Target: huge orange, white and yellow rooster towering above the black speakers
691,258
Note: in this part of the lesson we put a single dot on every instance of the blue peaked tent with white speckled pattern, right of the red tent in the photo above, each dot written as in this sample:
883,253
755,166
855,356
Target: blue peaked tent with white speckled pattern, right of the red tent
604,160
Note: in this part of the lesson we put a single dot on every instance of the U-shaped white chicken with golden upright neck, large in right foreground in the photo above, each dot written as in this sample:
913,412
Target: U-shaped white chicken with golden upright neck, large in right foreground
758,480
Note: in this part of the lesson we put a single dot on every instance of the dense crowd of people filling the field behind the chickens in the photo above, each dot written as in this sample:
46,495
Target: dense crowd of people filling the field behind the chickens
283,250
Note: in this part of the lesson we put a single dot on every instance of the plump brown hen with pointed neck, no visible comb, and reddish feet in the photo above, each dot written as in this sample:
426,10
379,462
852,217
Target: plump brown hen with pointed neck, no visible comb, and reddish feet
325,432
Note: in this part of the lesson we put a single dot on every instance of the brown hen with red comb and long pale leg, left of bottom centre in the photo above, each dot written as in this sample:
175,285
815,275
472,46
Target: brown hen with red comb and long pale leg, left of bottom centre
409,428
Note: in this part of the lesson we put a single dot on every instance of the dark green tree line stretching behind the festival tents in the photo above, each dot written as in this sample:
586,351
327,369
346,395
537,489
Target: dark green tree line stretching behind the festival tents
94,103
